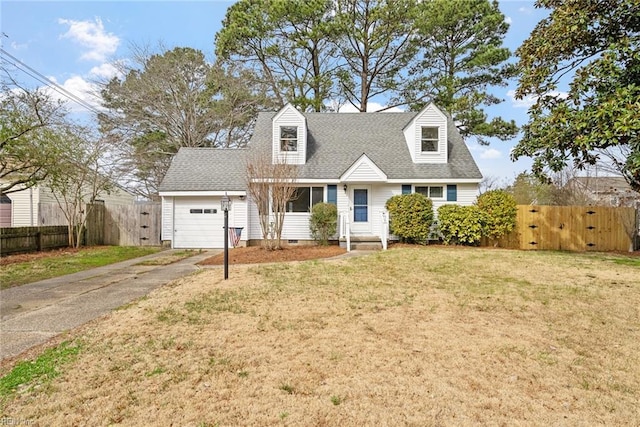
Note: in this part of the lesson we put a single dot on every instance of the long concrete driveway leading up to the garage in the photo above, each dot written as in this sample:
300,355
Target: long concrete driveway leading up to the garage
32,314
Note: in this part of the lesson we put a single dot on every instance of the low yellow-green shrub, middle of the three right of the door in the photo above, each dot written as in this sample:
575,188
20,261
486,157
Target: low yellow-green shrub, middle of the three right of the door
461,225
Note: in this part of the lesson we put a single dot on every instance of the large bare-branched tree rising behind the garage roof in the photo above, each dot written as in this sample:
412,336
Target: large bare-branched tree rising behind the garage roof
164,101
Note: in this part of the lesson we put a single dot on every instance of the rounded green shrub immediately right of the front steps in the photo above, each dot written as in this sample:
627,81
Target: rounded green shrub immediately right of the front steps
410,217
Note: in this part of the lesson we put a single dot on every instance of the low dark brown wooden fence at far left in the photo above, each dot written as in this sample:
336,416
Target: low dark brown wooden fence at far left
15,240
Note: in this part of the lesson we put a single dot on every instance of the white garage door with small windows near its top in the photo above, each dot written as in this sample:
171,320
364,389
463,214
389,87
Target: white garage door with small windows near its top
198,223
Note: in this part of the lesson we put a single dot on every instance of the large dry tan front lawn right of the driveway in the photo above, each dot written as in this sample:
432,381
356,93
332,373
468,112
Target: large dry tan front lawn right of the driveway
411,336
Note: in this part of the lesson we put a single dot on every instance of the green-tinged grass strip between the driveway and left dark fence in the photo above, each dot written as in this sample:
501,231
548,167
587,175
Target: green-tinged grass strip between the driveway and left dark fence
20,269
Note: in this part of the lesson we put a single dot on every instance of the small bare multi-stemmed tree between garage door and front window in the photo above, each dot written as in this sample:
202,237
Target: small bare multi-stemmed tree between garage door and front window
271,184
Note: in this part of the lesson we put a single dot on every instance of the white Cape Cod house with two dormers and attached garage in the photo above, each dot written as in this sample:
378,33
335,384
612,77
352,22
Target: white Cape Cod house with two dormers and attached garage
354,160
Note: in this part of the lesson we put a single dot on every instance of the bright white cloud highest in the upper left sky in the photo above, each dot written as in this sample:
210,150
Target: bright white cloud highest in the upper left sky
91,35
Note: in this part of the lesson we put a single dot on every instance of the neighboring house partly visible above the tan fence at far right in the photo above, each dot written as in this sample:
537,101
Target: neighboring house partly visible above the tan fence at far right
605,190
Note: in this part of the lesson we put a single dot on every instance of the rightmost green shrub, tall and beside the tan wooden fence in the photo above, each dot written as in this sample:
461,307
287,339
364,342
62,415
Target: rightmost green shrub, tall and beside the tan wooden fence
500,209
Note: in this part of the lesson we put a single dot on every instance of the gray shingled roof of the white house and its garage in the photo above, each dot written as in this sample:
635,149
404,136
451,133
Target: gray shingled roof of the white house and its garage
334,143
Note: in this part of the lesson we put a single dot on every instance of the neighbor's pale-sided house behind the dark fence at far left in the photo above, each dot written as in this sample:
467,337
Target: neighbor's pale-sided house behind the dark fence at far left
37,205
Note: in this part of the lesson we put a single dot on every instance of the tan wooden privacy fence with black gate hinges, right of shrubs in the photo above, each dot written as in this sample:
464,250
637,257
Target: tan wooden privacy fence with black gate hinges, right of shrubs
573,228
